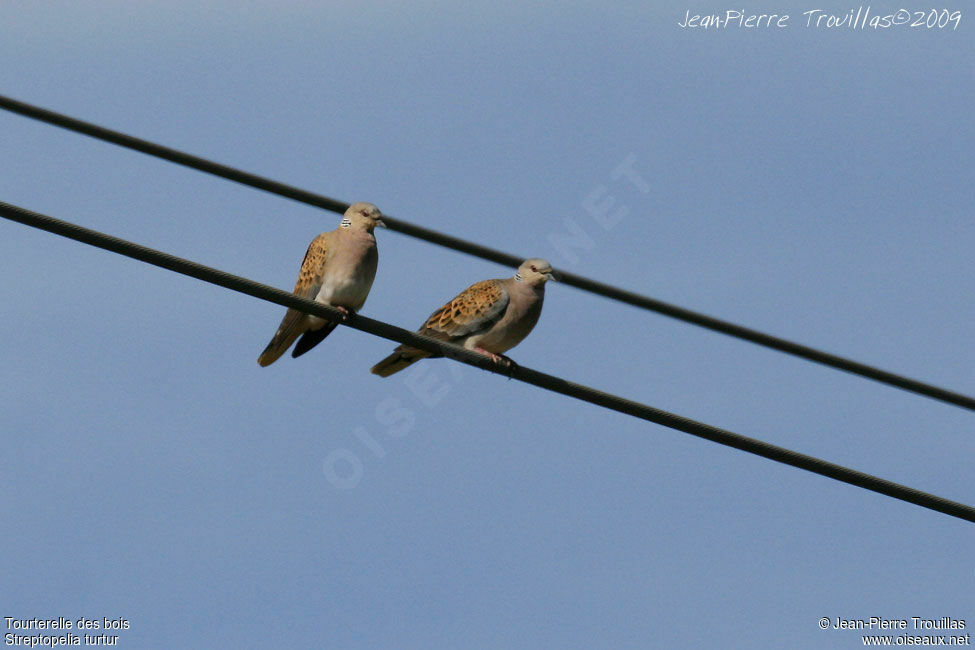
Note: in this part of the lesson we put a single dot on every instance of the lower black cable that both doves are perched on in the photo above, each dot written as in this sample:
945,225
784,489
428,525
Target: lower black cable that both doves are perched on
521,373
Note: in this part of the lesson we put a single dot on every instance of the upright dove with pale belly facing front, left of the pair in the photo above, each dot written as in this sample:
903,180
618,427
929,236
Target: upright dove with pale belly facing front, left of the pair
338,270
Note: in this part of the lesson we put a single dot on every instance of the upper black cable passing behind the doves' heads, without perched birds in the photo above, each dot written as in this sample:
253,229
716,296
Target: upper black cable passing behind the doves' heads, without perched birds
578,281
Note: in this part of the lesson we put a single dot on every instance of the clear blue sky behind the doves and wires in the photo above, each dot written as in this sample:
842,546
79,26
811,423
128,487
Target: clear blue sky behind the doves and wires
814,184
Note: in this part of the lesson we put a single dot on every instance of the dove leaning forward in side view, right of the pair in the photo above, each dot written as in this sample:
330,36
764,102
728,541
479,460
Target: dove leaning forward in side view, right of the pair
489,317
